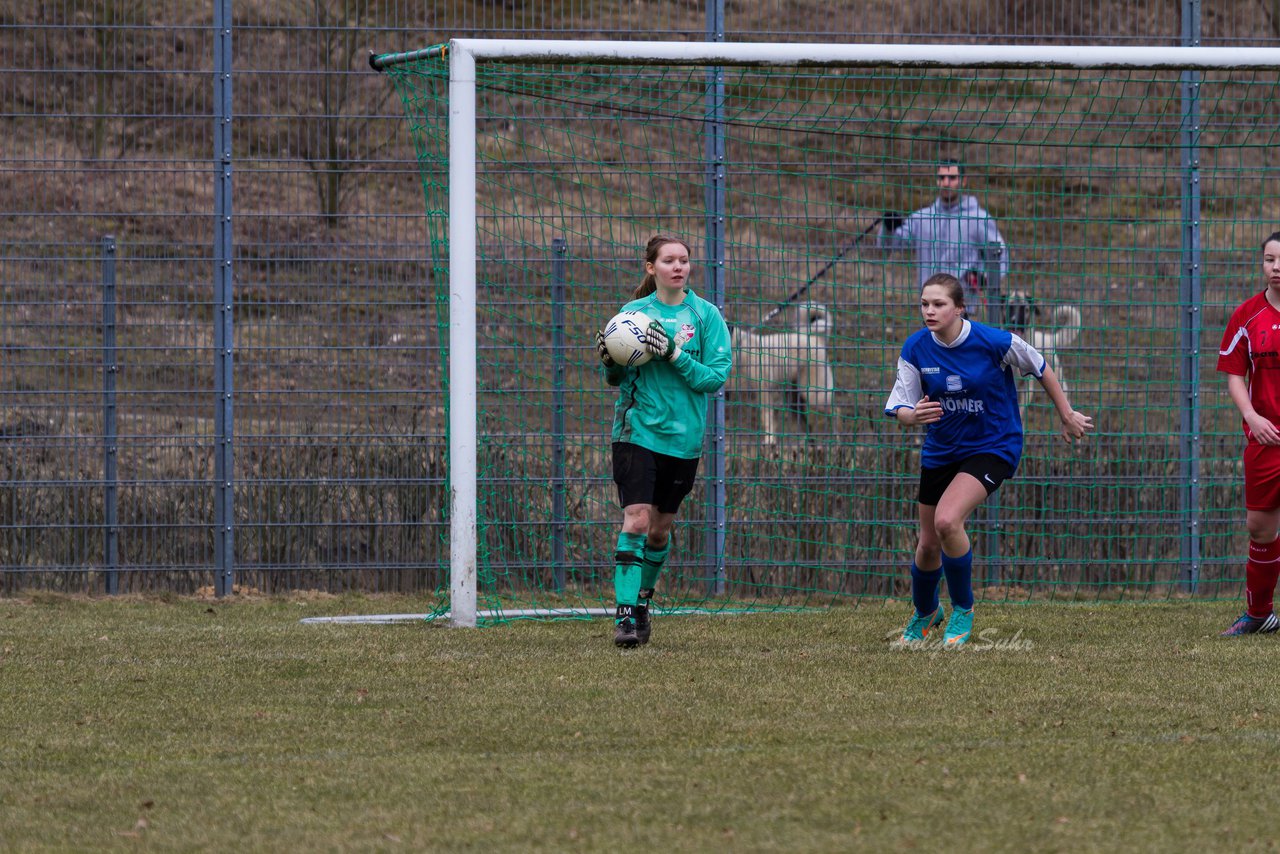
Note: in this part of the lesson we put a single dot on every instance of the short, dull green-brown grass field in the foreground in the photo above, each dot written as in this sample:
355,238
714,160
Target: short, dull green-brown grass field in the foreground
211,725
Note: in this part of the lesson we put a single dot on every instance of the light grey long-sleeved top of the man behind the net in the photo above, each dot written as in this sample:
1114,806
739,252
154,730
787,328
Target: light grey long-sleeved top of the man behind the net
949,239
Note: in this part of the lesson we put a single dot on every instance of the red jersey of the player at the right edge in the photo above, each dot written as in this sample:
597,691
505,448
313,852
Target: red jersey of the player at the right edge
1251,349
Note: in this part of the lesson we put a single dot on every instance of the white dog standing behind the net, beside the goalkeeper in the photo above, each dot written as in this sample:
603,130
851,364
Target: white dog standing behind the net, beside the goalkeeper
788,369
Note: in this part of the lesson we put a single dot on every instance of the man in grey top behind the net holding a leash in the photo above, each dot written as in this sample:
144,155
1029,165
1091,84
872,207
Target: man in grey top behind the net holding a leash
950,235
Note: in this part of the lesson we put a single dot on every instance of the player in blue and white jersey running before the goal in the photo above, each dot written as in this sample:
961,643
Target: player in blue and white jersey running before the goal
957,378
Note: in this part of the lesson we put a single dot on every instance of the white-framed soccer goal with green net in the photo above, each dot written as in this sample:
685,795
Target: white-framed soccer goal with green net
1130,189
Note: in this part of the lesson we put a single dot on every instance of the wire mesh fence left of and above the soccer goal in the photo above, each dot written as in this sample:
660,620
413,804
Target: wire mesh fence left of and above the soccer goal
217,252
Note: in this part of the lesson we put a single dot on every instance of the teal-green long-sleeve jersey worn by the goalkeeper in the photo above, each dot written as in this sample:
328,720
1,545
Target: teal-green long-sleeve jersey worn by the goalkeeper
662,407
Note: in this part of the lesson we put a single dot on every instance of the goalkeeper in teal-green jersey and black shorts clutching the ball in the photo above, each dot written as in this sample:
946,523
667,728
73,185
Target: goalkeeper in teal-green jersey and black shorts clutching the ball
659,424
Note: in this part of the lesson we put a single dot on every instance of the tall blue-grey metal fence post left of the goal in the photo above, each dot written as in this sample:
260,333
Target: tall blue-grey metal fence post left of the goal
225,512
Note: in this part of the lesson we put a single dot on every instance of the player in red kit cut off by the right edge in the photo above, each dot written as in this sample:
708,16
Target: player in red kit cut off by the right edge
1250,357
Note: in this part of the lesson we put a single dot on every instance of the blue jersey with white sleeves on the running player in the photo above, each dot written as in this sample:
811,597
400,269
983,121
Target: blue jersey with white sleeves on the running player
973,378
